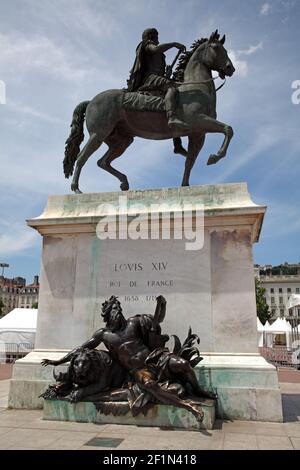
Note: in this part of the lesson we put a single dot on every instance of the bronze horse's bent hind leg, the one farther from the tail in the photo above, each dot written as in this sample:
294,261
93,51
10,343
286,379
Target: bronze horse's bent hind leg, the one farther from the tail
117,146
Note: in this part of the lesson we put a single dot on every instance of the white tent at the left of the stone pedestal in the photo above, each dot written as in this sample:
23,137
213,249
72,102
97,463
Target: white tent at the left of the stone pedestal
18,327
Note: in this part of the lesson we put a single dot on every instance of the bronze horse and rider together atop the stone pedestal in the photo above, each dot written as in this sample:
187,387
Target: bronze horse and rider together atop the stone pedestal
155,106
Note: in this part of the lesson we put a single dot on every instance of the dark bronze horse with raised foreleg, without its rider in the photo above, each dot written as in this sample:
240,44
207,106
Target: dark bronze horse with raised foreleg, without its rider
107,120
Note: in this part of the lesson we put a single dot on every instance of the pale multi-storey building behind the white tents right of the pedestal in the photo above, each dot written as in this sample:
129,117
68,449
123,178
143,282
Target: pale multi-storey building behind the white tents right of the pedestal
280,283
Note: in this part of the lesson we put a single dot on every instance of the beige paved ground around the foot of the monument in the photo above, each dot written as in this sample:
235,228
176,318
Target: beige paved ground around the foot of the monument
25,429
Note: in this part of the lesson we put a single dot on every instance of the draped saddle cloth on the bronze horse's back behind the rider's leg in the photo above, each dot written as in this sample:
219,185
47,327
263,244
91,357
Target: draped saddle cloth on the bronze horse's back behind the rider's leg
138,101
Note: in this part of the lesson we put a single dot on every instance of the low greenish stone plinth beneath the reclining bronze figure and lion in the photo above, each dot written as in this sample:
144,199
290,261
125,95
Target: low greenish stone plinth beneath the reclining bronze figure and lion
157,416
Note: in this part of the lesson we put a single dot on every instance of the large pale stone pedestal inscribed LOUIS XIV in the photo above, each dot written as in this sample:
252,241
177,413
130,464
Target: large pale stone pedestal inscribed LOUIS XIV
210,289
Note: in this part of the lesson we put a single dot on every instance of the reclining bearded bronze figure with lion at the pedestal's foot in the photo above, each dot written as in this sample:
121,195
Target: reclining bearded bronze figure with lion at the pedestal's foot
136,371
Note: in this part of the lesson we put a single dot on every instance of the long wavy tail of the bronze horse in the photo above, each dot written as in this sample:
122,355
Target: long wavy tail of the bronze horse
75,138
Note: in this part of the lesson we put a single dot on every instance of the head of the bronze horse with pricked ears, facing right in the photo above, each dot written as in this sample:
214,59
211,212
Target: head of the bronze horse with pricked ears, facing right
215,56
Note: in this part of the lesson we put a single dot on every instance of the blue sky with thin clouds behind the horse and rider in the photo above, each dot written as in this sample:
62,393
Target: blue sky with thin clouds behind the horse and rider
57,53
